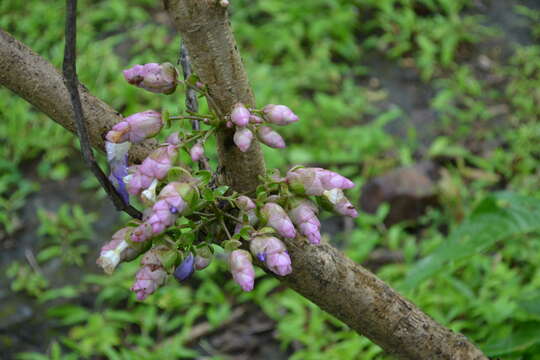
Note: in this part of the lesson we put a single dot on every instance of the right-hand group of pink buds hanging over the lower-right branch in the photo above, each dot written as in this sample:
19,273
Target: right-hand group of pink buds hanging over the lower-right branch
289,214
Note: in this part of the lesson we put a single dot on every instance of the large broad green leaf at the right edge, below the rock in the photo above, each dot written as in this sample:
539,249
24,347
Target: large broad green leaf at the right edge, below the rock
496,218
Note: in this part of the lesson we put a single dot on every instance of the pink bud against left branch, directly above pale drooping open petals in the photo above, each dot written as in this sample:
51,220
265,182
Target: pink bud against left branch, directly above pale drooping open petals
136,128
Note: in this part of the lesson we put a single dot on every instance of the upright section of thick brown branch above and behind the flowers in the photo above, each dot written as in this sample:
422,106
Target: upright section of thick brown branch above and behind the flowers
205,30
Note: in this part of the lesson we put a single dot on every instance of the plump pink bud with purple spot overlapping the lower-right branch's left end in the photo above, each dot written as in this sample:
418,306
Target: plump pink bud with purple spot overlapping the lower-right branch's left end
273,253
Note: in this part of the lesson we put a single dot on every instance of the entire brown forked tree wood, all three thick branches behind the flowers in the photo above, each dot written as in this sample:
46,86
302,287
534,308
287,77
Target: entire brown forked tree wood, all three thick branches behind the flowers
320,273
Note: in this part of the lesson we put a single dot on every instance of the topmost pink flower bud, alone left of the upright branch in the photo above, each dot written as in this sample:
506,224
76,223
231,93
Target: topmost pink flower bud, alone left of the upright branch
157,78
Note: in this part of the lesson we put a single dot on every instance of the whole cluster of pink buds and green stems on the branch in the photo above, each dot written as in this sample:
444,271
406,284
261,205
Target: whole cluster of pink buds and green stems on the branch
187,217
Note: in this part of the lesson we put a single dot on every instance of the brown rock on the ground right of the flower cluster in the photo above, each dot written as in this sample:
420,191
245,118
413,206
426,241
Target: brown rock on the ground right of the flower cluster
408,191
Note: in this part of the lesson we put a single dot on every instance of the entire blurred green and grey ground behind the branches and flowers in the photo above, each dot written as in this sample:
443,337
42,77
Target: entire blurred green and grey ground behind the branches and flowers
432,107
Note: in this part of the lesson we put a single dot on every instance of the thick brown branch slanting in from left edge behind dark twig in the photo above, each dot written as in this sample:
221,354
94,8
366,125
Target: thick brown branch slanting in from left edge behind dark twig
37,81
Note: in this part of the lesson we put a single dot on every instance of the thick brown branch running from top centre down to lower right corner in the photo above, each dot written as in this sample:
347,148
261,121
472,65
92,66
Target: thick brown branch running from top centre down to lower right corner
320,273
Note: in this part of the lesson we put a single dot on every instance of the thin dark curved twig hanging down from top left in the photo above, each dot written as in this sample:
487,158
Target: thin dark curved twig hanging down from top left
70,79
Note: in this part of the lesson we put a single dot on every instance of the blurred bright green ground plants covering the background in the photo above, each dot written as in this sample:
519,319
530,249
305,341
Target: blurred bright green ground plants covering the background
309,55
